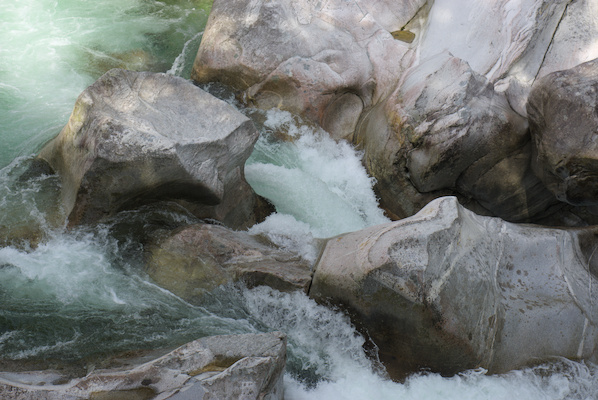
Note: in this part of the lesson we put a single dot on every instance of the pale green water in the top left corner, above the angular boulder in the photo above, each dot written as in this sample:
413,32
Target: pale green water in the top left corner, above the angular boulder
52,50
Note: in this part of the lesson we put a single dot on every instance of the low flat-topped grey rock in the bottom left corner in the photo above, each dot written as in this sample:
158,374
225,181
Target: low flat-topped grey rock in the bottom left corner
213,368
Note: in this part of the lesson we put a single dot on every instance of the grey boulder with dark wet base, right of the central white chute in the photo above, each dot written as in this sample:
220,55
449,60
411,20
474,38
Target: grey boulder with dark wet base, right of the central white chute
446,130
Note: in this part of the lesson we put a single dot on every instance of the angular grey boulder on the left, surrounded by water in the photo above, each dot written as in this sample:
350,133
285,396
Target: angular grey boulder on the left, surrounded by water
134,138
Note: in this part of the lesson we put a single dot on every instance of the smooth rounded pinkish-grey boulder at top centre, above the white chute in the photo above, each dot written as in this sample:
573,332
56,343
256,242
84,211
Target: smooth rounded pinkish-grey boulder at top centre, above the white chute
327,61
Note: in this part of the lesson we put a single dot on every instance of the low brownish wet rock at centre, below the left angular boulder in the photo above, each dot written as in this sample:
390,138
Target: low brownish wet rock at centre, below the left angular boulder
195,259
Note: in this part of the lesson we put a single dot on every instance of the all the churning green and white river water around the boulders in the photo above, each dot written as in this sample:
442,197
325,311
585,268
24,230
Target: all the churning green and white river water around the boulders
80,295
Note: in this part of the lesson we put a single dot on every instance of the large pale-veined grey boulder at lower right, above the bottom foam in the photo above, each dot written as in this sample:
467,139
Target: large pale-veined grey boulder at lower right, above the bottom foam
450,290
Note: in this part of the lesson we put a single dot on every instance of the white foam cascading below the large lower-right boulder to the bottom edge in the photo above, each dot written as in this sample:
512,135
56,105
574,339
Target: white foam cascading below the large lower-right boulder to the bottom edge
327,362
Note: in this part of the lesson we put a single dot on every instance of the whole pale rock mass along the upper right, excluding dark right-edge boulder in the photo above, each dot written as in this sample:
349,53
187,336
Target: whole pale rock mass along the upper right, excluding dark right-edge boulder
347,66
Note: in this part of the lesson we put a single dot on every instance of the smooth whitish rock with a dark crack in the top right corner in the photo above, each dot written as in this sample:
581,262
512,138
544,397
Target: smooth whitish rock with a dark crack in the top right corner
513,43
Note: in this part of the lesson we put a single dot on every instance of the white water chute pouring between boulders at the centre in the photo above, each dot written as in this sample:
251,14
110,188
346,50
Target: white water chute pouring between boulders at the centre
319,187
